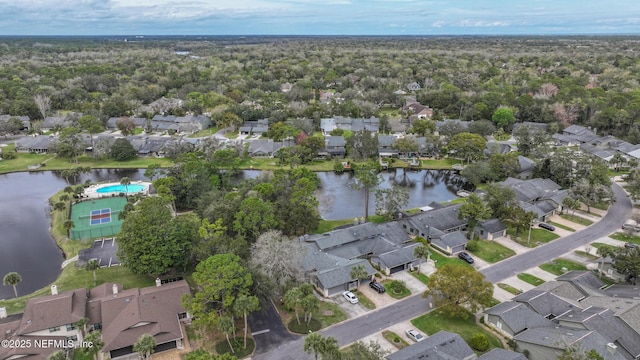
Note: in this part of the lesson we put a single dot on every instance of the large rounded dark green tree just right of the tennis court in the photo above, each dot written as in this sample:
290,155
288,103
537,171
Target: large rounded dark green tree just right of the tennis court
151,241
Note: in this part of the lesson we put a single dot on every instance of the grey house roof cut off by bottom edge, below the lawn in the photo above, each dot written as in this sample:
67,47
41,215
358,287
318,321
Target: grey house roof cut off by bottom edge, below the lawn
441,345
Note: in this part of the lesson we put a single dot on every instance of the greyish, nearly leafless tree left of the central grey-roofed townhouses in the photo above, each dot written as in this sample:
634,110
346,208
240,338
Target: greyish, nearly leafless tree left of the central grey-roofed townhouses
278,257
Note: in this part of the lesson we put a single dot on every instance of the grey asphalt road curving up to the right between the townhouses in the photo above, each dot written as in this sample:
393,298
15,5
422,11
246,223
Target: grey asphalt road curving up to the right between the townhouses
414,306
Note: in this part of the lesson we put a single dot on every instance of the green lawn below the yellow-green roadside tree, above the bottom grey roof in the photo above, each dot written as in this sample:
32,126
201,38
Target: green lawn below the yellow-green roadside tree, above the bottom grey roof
436,320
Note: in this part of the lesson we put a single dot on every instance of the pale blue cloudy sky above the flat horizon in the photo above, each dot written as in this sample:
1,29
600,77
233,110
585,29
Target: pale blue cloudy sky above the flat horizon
318,17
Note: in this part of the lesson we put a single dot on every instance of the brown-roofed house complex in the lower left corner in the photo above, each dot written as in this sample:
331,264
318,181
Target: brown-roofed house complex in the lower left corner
122,316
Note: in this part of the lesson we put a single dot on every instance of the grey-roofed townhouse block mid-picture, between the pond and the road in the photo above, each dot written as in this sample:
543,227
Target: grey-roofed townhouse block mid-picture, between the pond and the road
331,256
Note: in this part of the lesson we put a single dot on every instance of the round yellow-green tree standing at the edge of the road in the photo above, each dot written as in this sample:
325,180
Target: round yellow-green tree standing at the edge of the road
458,288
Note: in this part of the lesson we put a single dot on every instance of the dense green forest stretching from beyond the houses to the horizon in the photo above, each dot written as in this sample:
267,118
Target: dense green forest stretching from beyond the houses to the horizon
591,81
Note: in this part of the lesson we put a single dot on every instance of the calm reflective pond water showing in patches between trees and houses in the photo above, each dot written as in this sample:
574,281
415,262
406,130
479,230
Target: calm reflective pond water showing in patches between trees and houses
26,245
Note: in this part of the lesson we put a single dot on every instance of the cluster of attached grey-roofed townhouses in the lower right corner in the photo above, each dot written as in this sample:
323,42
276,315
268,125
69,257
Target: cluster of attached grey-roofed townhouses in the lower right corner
574,310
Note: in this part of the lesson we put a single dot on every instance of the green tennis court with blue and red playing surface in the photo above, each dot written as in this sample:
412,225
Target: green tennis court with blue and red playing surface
96,218
